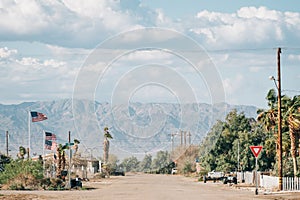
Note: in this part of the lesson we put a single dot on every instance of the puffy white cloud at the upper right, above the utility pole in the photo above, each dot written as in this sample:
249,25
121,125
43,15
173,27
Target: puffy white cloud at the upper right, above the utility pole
248,26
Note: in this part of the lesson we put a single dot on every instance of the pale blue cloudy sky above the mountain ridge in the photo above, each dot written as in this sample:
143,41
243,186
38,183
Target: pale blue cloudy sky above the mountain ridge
120,51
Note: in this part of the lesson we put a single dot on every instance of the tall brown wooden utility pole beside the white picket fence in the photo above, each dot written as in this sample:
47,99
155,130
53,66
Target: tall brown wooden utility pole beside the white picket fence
279,142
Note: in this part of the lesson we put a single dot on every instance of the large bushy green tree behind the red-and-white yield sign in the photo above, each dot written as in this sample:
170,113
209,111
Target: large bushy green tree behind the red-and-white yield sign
237,132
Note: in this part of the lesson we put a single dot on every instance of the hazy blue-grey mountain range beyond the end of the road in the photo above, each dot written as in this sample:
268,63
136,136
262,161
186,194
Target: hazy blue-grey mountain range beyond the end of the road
136,128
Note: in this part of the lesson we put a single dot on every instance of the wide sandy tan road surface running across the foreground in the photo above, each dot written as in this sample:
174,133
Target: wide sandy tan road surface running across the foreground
145,186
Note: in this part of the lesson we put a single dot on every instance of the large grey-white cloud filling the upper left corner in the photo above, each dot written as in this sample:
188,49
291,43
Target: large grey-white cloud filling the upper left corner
69,23
